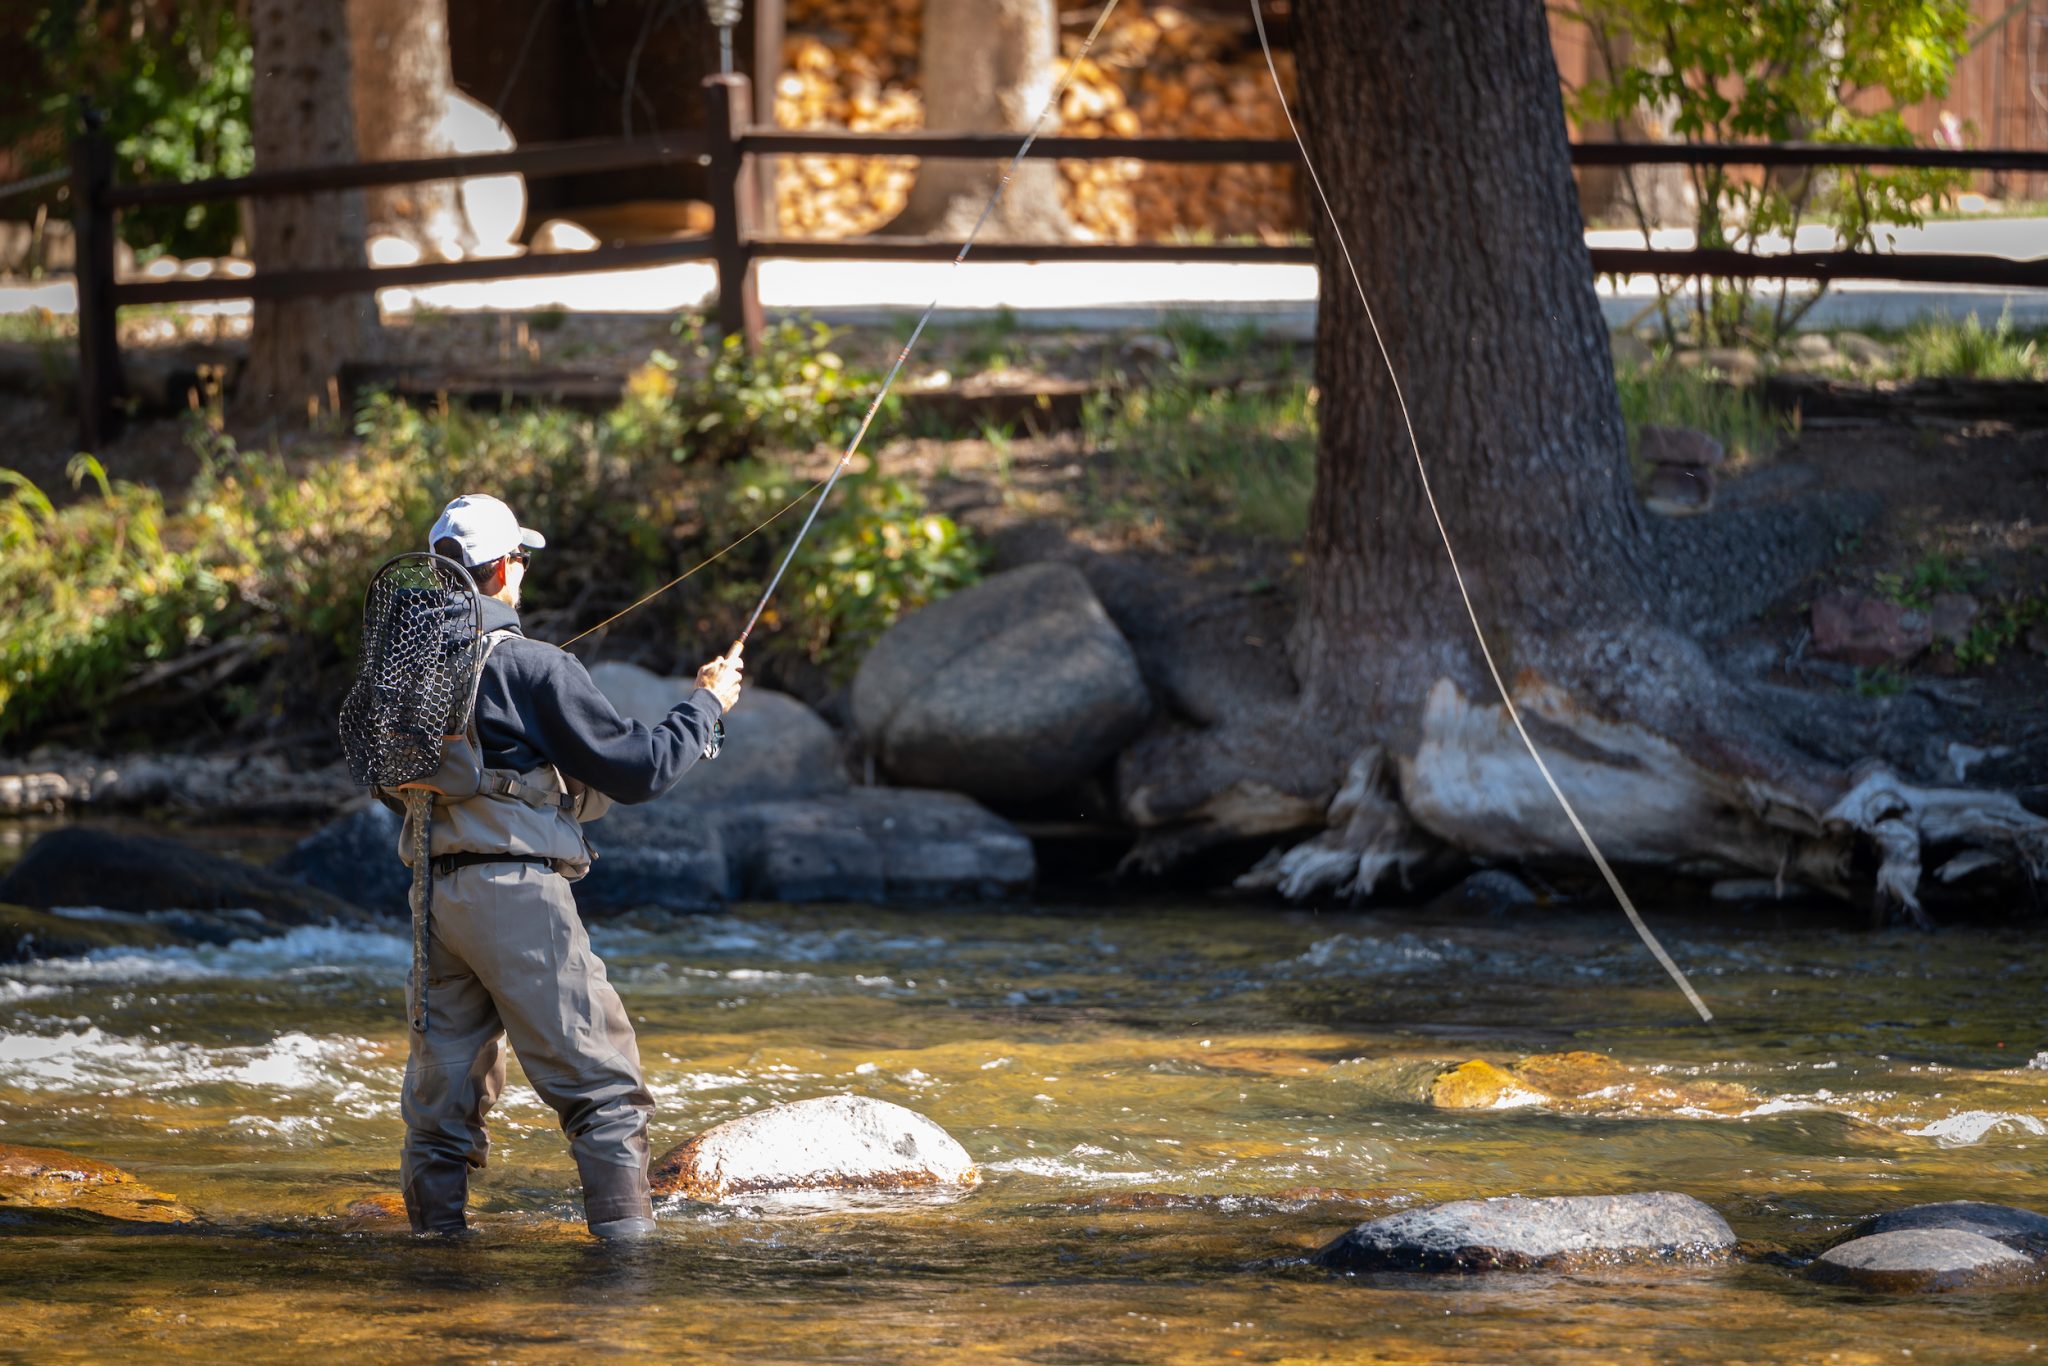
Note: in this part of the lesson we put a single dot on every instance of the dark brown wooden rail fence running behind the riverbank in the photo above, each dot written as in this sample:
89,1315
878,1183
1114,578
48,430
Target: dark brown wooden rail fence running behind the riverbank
734,148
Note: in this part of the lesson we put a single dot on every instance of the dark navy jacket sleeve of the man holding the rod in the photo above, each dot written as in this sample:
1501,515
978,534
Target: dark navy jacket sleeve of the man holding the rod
585,736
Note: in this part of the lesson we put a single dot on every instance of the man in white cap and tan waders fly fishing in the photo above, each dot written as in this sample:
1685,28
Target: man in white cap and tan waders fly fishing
534,757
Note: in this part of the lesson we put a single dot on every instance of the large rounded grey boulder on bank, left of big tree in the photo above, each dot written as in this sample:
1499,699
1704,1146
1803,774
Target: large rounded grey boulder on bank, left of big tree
1013,689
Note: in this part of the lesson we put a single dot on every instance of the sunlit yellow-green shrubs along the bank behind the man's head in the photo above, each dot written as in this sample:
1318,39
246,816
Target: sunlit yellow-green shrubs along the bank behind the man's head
97,591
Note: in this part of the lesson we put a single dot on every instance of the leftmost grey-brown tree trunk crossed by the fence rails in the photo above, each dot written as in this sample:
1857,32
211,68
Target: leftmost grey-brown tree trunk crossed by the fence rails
300,116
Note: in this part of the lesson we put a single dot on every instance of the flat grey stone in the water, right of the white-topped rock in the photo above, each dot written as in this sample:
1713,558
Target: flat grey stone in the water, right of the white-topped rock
1551,1234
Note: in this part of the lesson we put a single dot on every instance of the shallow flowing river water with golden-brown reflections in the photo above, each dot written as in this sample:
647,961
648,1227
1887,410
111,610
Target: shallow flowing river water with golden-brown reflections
1172,1107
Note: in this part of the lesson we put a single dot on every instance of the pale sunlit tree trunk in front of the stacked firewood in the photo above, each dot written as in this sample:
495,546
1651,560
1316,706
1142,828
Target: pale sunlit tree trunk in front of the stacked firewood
986,69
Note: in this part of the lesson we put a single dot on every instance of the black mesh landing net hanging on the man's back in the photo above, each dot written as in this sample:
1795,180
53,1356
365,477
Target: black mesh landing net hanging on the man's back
417,677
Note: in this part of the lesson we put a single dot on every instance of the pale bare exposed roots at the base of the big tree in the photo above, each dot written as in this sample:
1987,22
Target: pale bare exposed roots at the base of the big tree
1471,785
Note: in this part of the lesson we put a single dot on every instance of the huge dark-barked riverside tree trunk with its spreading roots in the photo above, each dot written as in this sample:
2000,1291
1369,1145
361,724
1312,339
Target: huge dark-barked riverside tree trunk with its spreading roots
1486,302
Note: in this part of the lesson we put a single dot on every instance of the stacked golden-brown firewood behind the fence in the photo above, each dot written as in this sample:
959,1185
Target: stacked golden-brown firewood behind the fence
1158,71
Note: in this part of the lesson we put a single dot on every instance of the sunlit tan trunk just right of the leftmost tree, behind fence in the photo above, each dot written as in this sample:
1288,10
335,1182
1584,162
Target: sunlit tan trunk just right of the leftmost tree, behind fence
402,87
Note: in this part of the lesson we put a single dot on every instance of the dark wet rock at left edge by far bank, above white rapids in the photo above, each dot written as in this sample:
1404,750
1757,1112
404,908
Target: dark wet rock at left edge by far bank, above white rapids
93,867
